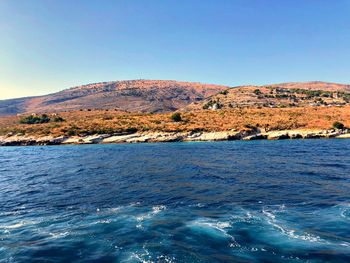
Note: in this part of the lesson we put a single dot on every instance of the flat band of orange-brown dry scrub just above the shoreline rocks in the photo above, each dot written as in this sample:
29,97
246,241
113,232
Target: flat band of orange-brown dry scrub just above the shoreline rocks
102,121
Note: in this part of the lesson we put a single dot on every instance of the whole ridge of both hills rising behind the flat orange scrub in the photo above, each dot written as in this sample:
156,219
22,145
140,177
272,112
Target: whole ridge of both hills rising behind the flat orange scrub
169,95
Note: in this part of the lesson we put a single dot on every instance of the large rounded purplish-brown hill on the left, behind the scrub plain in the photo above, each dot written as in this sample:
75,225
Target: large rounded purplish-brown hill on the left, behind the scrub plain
133,95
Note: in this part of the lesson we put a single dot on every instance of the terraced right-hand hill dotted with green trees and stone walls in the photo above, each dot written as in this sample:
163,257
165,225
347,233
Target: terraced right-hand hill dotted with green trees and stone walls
298,94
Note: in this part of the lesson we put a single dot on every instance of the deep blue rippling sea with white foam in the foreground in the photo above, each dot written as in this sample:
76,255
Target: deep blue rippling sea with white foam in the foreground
259,201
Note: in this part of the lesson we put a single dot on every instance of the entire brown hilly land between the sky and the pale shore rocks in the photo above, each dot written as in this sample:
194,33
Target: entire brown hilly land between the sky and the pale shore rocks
86,110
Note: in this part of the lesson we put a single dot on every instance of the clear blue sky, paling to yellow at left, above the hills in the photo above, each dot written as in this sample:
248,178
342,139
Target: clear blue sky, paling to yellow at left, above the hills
50,45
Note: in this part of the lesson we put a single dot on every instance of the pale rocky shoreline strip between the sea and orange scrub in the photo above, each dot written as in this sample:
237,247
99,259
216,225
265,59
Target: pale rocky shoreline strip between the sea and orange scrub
21,140
